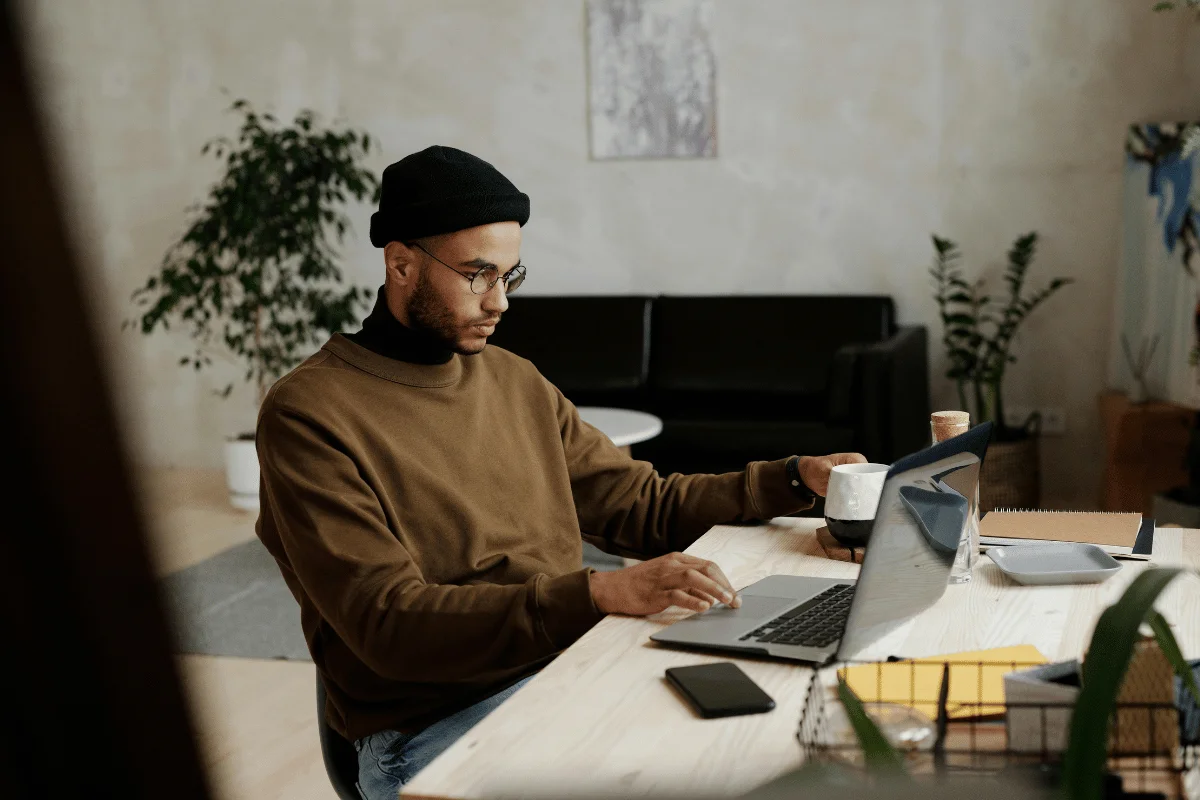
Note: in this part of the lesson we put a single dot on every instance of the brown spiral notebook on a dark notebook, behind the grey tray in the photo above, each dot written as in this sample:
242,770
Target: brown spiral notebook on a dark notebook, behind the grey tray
1126,536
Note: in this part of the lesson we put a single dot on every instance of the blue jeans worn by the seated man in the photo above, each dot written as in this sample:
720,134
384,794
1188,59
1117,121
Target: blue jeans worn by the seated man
389,760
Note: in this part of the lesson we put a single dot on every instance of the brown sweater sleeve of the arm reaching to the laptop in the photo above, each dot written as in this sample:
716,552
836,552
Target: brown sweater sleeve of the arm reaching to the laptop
368,587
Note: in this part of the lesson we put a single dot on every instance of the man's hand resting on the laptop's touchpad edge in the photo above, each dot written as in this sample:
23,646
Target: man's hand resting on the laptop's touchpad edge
673,580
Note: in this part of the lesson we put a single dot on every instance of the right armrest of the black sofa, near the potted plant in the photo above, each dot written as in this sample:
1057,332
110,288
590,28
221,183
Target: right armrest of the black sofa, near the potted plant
883,390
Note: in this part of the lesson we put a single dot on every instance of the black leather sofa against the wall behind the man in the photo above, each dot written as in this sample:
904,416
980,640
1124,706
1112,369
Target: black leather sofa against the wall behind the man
736,378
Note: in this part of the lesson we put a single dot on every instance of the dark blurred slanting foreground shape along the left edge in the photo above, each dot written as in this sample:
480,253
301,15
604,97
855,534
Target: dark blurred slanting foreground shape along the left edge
93,702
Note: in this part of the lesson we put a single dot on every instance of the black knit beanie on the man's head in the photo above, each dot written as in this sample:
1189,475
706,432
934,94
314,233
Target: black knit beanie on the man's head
442,190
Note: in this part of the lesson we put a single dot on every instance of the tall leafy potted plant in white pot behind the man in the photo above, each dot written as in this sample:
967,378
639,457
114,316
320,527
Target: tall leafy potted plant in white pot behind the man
255,278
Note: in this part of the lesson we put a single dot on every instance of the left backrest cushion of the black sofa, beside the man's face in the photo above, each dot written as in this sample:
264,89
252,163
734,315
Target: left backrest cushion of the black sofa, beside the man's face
590,347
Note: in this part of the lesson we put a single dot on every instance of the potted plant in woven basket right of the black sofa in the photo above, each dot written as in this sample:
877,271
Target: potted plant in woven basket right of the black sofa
979,333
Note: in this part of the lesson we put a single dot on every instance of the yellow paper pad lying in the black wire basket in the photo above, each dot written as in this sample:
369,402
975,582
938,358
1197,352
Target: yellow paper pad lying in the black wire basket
977,681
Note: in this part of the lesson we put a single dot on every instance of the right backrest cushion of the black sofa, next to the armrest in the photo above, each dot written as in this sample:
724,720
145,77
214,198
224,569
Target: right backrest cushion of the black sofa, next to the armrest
772,345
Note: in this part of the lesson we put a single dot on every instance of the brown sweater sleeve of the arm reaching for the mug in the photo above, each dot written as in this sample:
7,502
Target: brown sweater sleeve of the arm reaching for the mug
628,509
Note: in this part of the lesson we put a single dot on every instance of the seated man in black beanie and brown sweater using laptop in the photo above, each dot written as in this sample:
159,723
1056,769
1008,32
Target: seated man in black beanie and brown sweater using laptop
427,497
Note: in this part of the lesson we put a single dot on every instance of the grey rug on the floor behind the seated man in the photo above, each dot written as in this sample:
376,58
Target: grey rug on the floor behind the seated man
236,604
